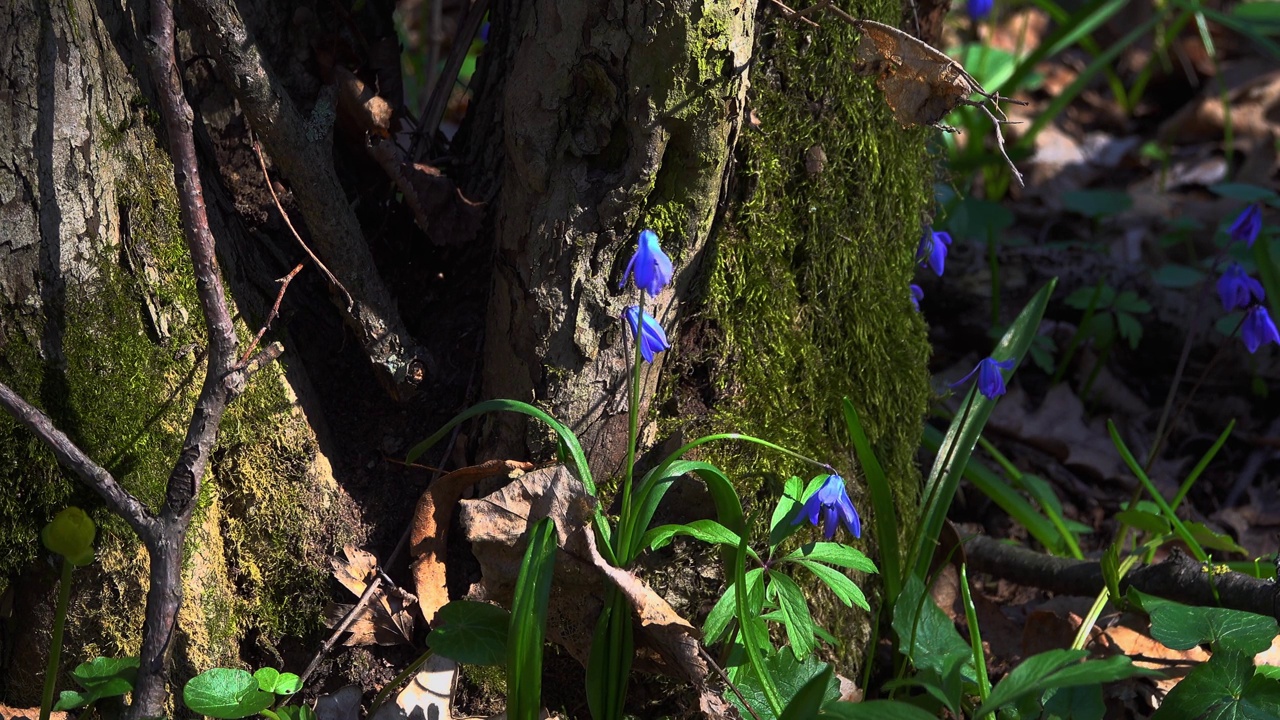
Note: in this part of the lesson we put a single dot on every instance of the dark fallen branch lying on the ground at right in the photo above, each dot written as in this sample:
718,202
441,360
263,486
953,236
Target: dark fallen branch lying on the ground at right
1178,578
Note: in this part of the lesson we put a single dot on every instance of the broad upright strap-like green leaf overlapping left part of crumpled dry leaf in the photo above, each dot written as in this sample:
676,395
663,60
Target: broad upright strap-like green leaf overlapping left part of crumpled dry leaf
529,623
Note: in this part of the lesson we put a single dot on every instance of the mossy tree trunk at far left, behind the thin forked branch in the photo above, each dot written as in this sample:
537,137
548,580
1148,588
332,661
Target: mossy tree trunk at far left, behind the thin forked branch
100,327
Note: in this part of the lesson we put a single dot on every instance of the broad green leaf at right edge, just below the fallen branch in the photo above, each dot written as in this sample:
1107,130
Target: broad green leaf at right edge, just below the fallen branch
1183,627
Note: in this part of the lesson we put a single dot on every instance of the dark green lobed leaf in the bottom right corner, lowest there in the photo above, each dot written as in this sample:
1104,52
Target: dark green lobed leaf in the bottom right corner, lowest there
1224,689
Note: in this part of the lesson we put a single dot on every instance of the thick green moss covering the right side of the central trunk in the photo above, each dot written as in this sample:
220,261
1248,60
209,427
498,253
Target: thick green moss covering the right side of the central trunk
811,282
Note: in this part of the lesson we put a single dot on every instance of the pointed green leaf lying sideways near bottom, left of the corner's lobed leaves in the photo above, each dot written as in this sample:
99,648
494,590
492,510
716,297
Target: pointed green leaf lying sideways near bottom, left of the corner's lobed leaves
1058,669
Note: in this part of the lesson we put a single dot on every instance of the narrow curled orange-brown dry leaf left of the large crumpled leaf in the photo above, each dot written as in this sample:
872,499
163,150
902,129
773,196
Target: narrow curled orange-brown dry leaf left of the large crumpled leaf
429,528
